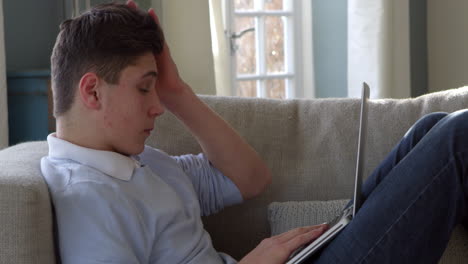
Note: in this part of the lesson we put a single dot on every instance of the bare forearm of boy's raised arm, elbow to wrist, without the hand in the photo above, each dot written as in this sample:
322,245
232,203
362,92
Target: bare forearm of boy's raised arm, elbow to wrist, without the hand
223,146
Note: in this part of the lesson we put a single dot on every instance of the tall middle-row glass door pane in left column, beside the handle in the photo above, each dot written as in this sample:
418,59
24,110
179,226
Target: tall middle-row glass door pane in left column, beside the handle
245,55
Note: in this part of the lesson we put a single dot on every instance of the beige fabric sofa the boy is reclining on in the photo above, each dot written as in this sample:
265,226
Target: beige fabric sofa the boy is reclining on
309,145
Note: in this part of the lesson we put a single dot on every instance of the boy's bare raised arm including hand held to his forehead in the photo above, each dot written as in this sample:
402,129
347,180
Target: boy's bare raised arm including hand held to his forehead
225,149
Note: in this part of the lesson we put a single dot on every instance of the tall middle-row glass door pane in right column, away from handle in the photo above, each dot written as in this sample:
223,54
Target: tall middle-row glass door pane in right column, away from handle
274,40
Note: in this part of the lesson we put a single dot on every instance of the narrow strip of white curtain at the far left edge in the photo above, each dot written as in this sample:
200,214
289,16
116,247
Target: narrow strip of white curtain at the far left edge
3,88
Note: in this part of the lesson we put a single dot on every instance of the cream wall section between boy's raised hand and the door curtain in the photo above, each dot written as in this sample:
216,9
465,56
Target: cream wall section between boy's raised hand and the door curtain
186,26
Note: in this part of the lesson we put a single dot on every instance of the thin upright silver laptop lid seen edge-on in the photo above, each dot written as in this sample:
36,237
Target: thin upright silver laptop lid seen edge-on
361,149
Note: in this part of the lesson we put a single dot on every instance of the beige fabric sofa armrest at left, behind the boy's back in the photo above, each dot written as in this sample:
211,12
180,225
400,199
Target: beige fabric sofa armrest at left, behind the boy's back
25,209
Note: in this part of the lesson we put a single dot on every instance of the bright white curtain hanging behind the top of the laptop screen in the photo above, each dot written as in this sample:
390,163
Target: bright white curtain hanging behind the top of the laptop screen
378,48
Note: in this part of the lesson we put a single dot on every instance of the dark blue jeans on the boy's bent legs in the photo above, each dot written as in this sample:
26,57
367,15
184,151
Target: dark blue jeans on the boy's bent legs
413,200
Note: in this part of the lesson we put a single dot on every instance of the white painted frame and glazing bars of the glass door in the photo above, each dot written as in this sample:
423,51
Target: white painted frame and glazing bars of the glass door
292,18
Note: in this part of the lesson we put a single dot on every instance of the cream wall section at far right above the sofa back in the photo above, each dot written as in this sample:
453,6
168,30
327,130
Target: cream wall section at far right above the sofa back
447,29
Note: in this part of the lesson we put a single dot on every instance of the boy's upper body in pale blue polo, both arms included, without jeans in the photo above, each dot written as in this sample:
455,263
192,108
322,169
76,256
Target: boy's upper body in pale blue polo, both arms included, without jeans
117,200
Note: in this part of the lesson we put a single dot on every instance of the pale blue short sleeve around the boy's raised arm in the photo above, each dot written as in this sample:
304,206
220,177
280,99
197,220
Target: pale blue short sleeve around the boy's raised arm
215,191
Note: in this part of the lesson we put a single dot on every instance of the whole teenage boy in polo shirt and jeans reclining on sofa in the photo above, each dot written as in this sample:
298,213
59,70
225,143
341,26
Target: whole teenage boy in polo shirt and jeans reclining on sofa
119,201
